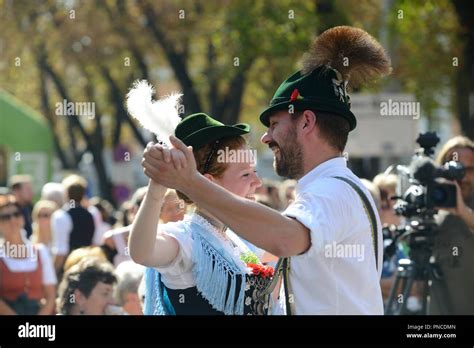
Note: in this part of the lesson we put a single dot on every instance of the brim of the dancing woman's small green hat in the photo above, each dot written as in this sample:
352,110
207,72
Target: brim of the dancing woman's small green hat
212,133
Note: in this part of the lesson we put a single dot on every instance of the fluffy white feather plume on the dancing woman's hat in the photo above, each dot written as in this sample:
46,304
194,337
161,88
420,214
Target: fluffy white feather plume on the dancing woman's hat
160,116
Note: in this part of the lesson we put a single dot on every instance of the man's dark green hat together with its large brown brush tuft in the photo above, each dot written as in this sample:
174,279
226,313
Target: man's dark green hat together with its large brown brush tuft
340,57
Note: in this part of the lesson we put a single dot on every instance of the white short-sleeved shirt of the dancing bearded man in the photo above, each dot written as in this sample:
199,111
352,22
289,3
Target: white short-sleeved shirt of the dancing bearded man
337,274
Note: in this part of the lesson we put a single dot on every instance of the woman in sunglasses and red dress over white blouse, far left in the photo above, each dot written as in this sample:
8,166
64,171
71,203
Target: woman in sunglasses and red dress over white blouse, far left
27,277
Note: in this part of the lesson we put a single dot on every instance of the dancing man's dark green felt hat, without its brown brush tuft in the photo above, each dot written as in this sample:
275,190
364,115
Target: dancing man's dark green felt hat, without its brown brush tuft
321,90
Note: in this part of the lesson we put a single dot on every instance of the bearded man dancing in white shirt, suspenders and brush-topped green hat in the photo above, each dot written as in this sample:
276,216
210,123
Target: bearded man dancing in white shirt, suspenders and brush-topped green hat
329,238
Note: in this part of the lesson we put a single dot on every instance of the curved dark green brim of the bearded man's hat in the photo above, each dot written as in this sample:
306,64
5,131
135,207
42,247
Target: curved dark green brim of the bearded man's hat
301,105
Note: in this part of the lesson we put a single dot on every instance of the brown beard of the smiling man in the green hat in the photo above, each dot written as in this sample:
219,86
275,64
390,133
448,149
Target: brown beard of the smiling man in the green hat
288,162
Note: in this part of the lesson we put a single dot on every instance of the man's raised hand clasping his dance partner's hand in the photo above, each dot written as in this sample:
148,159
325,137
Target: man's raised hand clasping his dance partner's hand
174,168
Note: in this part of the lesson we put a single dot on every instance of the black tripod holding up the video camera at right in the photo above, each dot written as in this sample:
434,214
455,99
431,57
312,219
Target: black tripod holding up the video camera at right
420,267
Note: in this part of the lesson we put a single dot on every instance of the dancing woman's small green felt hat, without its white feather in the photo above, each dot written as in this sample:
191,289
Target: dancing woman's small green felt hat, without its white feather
199,129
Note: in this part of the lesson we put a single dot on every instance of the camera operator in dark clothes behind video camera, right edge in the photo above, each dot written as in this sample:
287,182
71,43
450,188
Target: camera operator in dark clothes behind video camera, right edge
454,243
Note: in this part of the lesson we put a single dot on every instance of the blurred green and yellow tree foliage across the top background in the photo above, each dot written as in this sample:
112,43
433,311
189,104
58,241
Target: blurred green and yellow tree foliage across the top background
267,39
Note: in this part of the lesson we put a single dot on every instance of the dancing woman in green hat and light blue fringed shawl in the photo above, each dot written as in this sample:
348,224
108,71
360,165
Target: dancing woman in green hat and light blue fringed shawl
196,266
